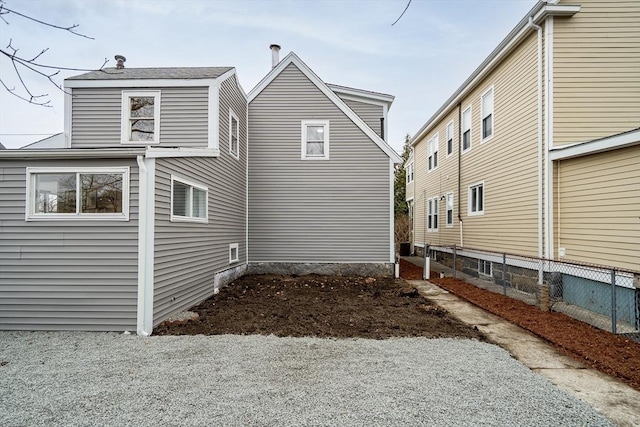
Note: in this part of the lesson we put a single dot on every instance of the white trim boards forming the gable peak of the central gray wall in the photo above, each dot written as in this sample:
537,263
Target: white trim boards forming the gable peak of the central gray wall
292,58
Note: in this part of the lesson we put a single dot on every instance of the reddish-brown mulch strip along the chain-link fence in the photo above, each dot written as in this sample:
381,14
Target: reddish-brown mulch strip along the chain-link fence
613,354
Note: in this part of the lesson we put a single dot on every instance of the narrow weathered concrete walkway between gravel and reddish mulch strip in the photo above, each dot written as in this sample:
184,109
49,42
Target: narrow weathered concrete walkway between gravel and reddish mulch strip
611,397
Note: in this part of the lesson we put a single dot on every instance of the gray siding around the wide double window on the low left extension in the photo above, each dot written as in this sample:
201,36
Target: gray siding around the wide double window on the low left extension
65,275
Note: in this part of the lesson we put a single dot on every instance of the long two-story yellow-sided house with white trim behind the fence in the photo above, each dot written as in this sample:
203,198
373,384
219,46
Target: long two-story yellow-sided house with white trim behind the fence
538,152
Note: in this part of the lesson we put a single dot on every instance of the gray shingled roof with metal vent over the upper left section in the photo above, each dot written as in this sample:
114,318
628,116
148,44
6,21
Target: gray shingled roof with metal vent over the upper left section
153,73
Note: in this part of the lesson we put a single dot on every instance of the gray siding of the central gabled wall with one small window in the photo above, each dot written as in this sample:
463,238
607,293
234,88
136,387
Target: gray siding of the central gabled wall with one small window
333,210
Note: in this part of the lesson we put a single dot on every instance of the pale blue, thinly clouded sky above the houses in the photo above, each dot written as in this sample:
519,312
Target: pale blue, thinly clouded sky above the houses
421,60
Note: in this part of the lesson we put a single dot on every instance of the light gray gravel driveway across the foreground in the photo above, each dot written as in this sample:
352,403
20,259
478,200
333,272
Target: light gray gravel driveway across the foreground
61,378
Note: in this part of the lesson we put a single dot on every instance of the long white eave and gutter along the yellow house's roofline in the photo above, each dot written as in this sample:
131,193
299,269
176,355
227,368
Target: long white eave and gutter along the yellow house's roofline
539,12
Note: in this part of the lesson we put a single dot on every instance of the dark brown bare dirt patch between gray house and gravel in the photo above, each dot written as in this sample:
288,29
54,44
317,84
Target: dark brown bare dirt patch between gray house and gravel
321,306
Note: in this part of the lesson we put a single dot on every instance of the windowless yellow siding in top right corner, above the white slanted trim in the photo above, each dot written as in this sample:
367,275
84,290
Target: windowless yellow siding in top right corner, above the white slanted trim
596,71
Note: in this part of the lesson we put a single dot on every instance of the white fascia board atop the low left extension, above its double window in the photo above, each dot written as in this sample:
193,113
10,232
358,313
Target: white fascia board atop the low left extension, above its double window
72,153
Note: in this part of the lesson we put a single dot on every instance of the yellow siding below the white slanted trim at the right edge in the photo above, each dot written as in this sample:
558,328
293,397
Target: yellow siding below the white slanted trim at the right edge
599,208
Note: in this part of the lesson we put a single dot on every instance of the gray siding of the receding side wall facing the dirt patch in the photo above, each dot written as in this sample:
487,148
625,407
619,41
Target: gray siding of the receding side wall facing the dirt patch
187,255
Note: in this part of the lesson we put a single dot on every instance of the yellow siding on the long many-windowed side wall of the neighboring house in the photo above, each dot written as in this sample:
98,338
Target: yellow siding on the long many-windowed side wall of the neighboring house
506,163
